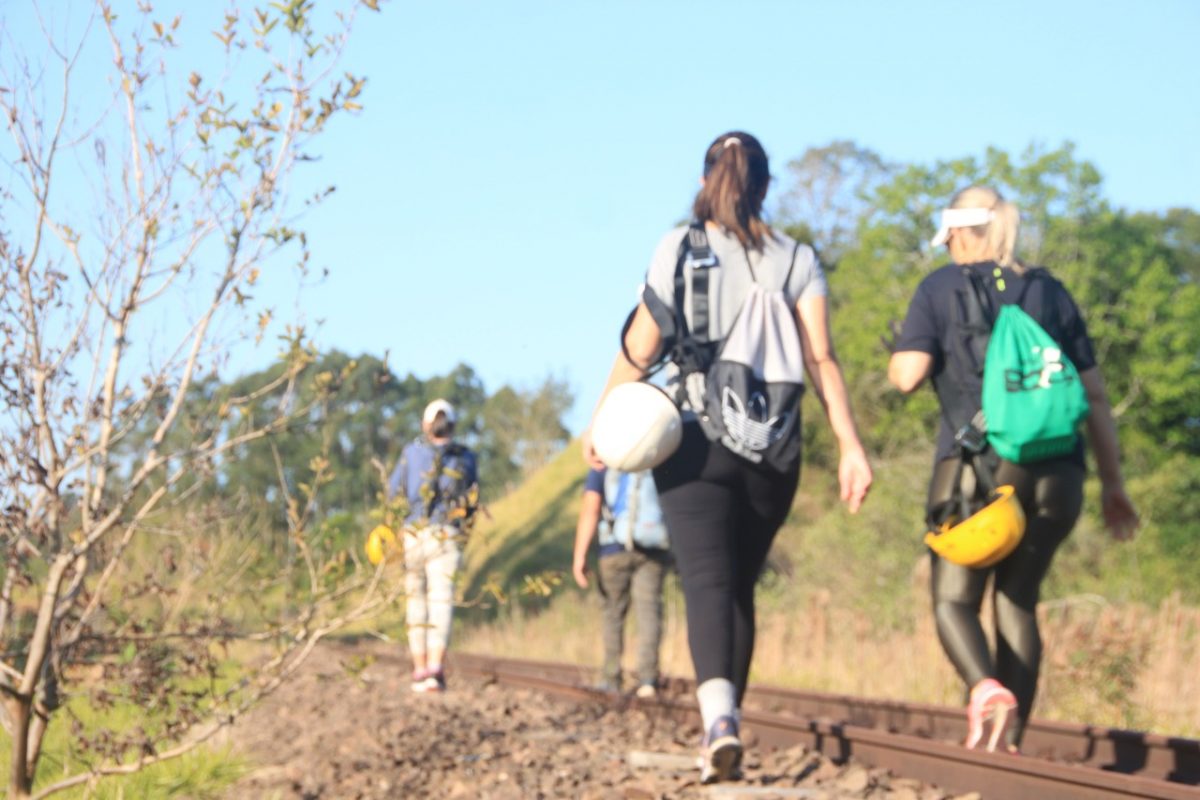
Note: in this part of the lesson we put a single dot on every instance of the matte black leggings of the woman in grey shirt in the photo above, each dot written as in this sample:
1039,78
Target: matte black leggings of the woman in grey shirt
722,515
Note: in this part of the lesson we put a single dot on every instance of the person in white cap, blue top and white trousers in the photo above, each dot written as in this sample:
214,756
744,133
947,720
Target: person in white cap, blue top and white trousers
439,478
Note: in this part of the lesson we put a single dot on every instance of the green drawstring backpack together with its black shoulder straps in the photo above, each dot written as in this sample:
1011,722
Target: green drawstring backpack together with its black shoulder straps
1033,398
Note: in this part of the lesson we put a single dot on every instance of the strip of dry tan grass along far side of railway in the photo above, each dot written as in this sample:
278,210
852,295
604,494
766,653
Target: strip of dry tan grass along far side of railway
1106,665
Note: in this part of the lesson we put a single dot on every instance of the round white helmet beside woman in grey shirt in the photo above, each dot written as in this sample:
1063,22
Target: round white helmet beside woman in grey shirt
637,428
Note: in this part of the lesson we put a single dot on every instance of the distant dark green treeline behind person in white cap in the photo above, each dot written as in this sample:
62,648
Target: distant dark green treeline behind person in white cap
513,431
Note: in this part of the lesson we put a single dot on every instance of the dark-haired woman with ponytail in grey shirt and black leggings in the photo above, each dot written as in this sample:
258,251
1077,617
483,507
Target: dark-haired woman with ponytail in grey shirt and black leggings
723,510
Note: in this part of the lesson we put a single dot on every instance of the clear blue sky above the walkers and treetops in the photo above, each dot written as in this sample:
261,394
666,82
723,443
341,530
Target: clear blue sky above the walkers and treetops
500,197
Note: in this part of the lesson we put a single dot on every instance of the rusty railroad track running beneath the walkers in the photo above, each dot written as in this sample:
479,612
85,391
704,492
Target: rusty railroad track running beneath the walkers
1067,762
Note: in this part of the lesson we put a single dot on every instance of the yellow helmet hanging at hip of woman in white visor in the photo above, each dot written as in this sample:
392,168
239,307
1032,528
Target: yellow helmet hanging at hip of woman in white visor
985,538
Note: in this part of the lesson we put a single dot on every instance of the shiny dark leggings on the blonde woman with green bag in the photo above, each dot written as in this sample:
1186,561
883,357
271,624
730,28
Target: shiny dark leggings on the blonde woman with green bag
1052,494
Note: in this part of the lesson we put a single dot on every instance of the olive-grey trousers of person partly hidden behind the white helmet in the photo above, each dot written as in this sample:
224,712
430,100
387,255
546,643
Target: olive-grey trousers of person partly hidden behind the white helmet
638,576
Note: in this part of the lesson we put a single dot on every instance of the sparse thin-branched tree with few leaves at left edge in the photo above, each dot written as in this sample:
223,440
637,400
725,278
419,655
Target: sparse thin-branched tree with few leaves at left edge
133,237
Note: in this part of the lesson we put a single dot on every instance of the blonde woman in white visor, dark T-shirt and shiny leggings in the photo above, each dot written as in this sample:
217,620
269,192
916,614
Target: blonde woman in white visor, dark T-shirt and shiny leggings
980,230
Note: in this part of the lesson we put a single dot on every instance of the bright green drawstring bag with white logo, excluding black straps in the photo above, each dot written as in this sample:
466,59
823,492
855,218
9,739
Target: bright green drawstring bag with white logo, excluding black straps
1033,398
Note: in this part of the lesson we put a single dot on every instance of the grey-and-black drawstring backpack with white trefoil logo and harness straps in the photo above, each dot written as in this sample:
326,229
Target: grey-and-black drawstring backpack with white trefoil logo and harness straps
748,387
